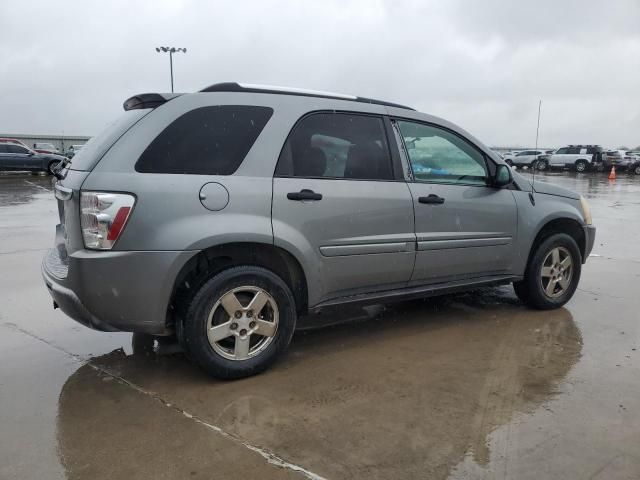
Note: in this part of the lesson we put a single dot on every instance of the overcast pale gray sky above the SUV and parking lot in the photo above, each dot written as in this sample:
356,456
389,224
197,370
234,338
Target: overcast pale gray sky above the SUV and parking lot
67,66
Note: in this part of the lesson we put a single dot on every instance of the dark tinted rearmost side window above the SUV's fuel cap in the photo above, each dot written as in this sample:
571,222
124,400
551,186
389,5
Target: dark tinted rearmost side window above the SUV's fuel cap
205,141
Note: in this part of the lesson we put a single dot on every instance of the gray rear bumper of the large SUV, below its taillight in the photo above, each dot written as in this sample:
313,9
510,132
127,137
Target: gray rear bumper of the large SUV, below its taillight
115,291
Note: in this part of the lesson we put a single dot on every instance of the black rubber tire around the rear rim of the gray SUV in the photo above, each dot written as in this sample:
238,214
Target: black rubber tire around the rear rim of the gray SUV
194,328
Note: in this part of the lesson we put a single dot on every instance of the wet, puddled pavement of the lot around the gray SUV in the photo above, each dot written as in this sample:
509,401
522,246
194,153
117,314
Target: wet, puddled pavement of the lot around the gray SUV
465,386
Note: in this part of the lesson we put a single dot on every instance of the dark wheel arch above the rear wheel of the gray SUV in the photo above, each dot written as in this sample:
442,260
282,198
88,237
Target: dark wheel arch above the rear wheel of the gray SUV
213,260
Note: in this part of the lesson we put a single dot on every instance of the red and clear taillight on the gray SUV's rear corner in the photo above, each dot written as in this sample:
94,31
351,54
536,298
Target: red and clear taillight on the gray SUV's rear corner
103,217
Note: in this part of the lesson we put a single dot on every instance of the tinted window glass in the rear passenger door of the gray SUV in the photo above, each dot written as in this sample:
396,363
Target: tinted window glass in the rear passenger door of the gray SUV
337,145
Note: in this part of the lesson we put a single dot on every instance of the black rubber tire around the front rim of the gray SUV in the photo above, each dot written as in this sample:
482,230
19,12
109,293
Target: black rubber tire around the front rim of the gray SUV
530,290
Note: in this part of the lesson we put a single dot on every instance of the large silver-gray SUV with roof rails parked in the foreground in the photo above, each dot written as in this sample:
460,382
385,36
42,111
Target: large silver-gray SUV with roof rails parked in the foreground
224,215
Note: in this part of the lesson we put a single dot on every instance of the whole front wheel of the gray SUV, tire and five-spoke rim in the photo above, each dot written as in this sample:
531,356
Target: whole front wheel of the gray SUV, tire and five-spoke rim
552,274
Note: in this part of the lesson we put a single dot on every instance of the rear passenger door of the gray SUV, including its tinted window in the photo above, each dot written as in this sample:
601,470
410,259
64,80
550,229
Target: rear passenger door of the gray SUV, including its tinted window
337,203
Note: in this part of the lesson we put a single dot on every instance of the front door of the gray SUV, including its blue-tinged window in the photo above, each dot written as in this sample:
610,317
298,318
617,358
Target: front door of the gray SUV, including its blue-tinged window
464,227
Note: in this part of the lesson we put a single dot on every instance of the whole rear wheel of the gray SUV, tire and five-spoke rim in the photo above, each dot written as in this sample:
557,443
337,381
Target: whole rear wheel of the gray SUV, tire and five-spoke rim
239,322
